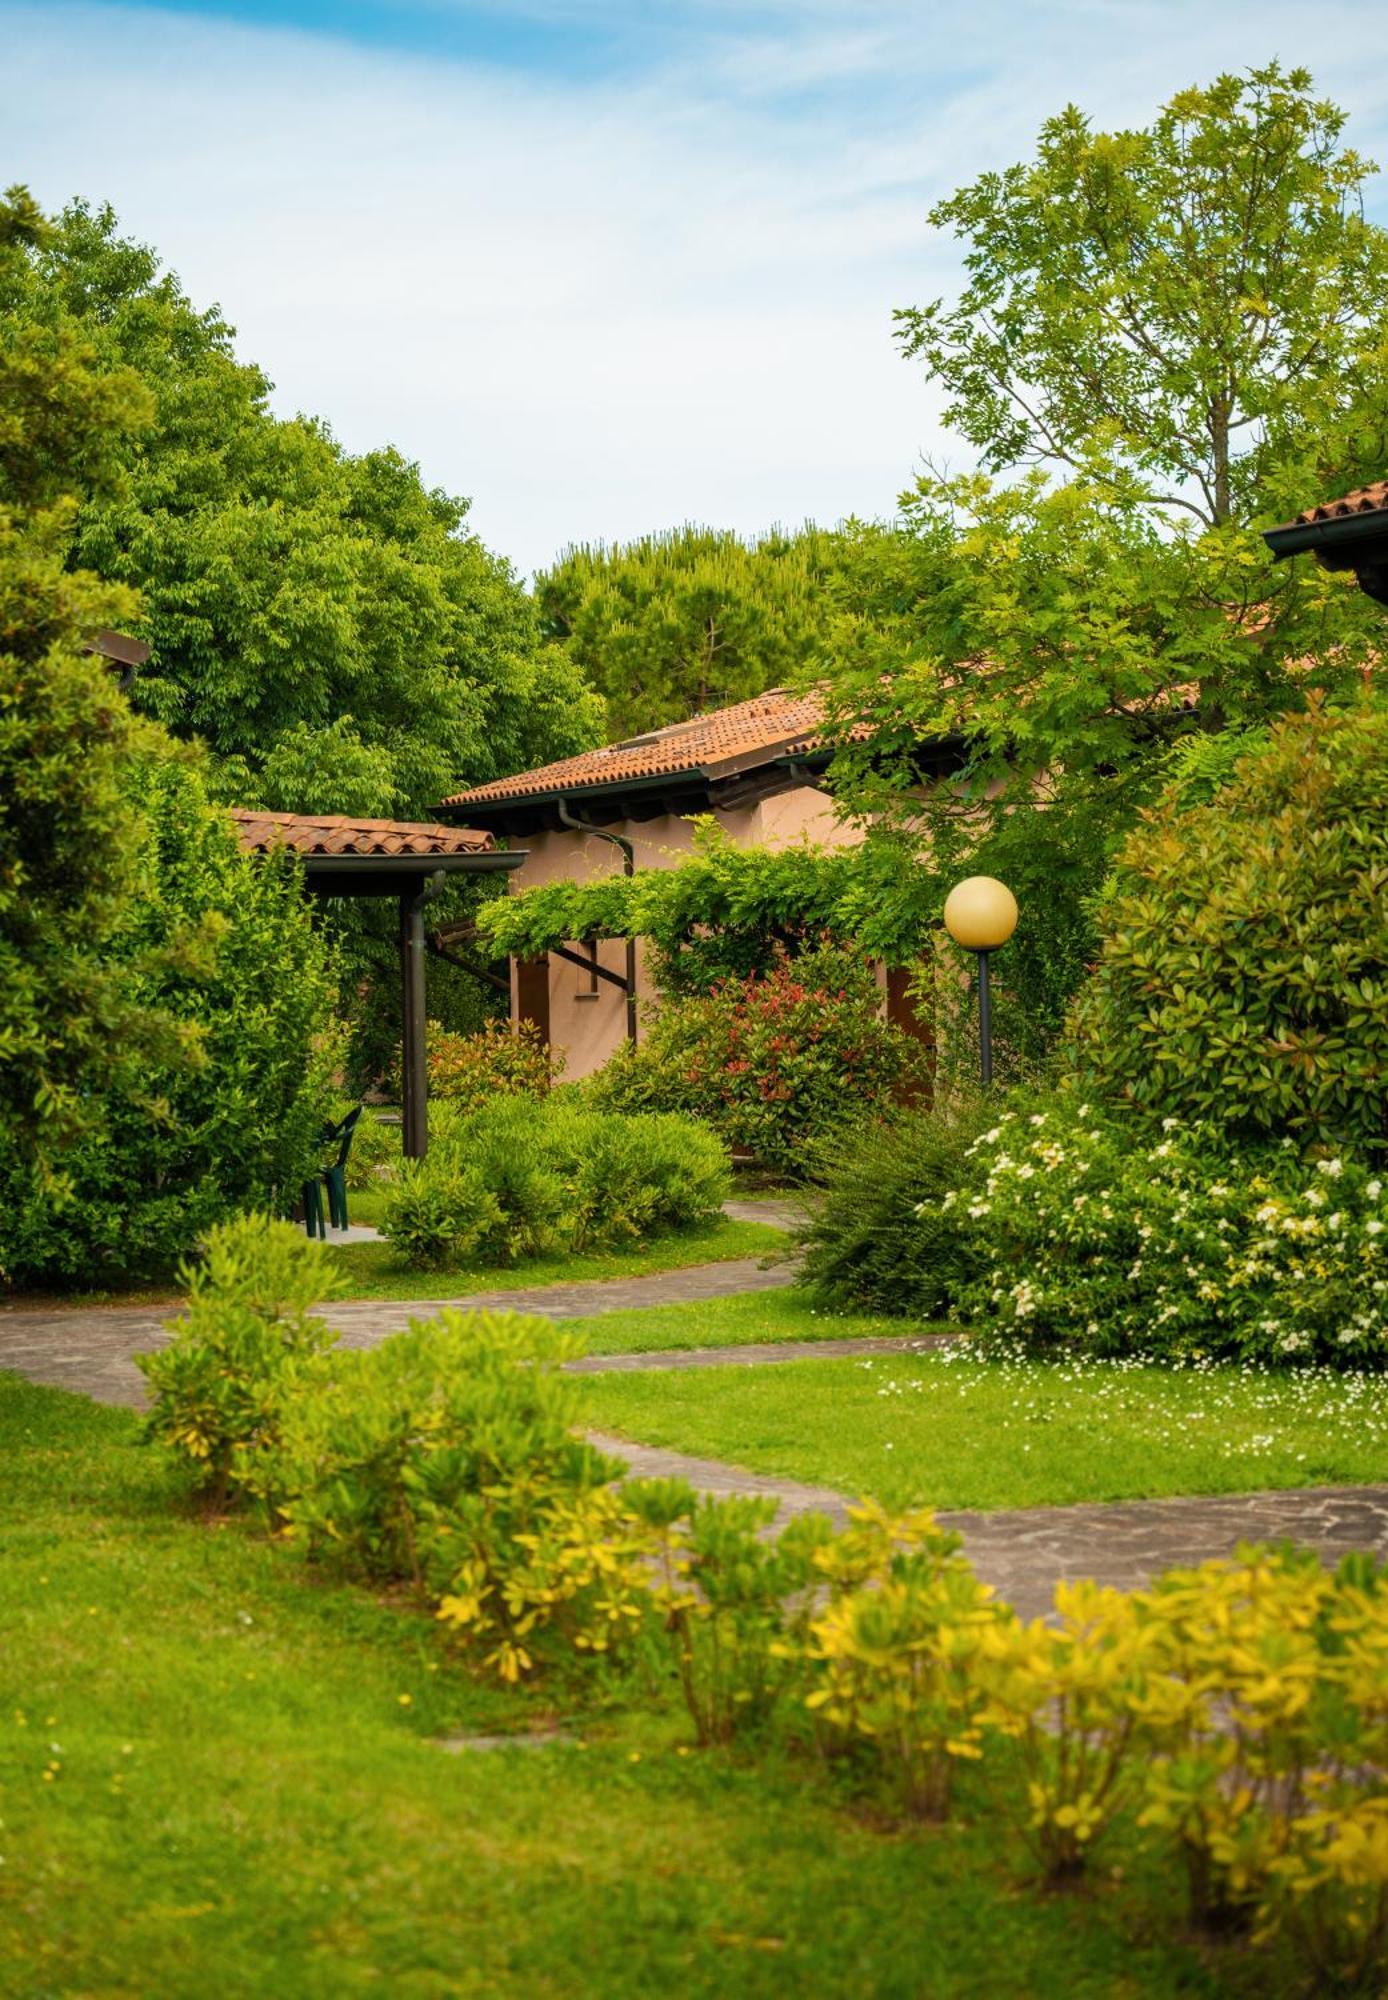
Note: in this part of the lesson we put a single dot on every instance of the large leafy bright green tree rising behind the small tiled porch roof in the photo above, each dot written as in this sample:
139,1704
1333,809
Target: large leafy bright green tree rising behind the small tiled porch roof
325,623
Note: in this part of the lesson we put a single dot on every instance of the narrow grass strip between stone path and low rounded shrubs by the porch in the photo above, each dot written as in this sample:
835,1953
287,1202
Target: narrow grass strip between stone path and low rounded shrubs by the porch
375,1271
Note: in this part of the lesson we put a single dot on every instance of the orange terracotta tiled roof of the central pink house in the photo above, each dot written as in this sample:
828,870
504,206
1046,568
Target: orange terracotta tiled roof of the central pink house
717,745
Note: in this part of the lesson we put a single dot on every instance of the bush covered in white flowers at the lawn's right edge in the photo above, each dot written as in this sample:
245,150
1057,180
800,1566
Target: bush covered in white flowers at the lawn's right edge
1171,1249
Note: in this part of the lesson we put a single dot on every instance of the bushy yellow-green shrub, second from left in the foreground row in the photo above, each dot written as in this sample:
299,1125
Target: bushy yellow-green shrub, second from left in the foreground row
449,1459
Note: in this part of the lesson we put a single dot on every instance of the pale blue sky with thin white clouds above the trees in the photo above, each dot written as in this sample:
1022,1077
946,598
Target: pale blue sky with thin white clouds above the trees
605,267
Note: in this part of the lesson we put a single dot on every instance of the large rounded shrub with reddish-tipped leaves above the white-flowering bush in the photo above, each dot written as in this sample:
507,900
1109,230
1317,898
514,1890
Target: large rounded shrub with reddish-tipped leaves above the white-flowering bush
1245,967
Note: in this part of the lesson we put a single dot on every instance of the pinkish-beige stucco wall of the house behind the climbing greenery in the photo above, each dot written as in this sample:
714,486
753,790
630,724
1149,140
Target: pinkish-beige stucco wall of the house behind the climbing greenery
587,1027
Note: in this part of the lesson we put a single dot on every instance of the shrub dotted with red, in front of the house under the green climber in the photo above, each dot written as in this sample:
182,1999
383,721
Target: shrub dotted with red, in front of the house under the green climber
771,1061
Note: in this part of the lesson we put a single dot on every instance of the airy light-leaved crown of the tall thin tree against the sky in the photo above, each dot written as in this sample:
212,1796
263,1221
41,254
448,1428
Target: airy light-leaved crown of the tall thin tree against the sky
1199,303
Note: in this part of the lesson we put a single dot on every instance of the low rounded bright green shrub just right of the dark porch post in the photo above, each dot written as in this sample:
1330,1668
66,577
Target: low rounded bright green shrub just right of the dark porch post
521,1179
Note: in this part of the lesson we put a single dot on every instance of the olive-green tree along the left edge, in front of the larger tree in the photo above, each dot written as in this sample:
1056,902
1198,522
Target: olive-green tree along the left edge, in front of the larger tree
67,831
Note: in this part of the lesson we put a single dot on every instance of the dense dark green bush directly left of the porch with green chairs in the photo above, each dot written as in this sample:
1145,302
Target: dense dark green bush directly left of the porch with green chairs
225,1107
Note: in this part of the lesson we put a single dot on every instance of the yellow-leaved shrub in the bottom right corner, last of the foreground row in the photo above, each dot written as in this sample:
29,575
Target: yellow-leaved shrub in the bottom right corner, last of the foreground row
1273,1743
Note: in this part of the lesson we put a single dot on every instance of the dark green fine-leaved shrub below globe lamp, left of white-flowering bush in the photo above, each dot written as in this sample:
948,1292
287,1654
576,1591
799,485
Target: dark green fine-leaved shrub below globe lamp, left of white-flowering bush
881,1237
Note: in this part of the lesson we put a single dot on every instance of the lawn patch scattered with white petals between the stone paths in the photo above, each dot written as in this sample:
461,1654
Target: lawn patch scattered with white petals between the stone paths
967,1433
